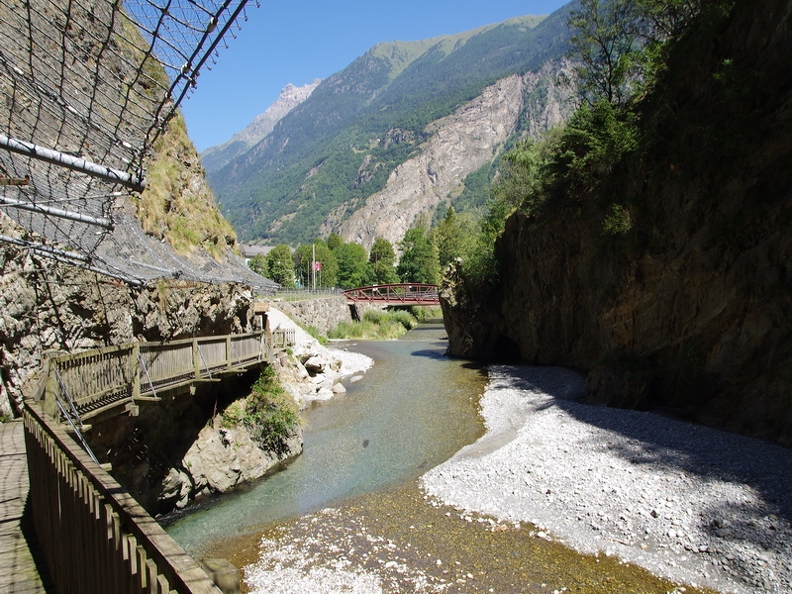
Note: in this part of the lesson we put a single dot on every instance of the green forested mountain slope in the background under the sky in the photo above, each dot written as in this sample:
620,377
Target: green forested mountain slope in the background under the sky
338,148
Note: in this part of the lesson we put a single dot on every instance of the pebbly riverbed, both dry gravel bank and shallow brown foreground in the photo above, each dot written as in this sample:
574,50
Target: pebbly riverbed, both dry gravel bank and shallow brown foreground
701,508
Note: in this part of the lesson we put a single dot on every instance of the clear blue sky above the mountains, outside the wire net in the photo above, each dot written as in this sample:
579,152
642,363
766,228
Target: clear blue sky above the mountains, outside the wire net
299,40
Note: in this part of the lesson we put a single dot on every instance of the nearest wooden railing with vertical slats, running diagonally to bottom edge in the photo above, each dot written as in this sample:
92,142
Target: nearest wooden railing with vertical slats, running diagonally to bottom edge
95,537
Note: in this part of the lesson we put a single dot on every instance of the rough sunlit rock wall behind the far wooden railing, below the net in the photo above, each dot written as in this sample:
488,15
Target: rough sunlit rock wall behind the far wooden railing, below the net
46,306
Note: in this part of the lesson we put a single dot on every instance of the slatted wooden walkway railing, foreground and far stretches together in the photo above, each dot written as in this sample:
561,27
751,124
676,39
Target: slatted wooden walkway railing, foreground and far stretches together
94,536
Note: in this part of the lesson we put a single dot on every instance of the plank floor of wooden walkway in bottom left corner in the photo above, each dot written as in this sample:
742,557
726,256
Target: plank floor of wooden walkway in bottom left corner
18,571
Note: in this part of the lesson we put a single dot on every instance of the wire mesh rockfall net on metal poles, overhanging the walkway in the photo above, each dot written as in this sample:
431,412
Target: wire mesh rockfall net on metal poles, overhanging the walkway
86,88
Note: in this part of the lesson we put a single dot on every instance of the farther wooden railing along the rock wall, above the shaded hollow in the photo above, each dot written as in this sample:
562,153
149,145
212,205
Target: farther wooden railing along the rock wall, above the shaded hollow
91,382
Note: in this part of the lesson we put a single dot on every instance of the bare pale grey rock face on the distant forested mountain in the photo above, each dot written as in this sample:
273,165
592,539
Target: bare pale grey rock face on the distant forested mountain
458,145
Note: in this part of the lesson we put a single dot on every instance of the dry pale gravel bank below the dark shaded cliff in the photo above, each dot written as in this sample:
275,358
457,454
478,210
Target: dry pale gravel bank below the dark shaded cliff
686,502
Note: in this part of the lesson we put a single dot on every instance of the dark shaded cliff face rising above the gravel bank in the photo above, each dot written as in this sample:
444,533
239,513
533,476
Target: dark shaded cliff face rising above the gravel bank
690,309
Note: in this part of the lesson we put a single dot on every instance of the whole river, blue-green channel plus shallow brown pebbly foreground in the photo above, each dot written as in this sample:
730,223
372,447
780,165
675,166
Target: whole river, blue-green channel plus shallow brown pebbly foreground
348,514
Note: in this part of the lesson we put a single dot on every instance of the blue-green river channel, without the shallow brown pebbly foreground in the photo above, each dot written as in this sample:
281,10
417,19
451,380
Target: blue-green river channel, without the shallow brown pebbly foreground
411,411
